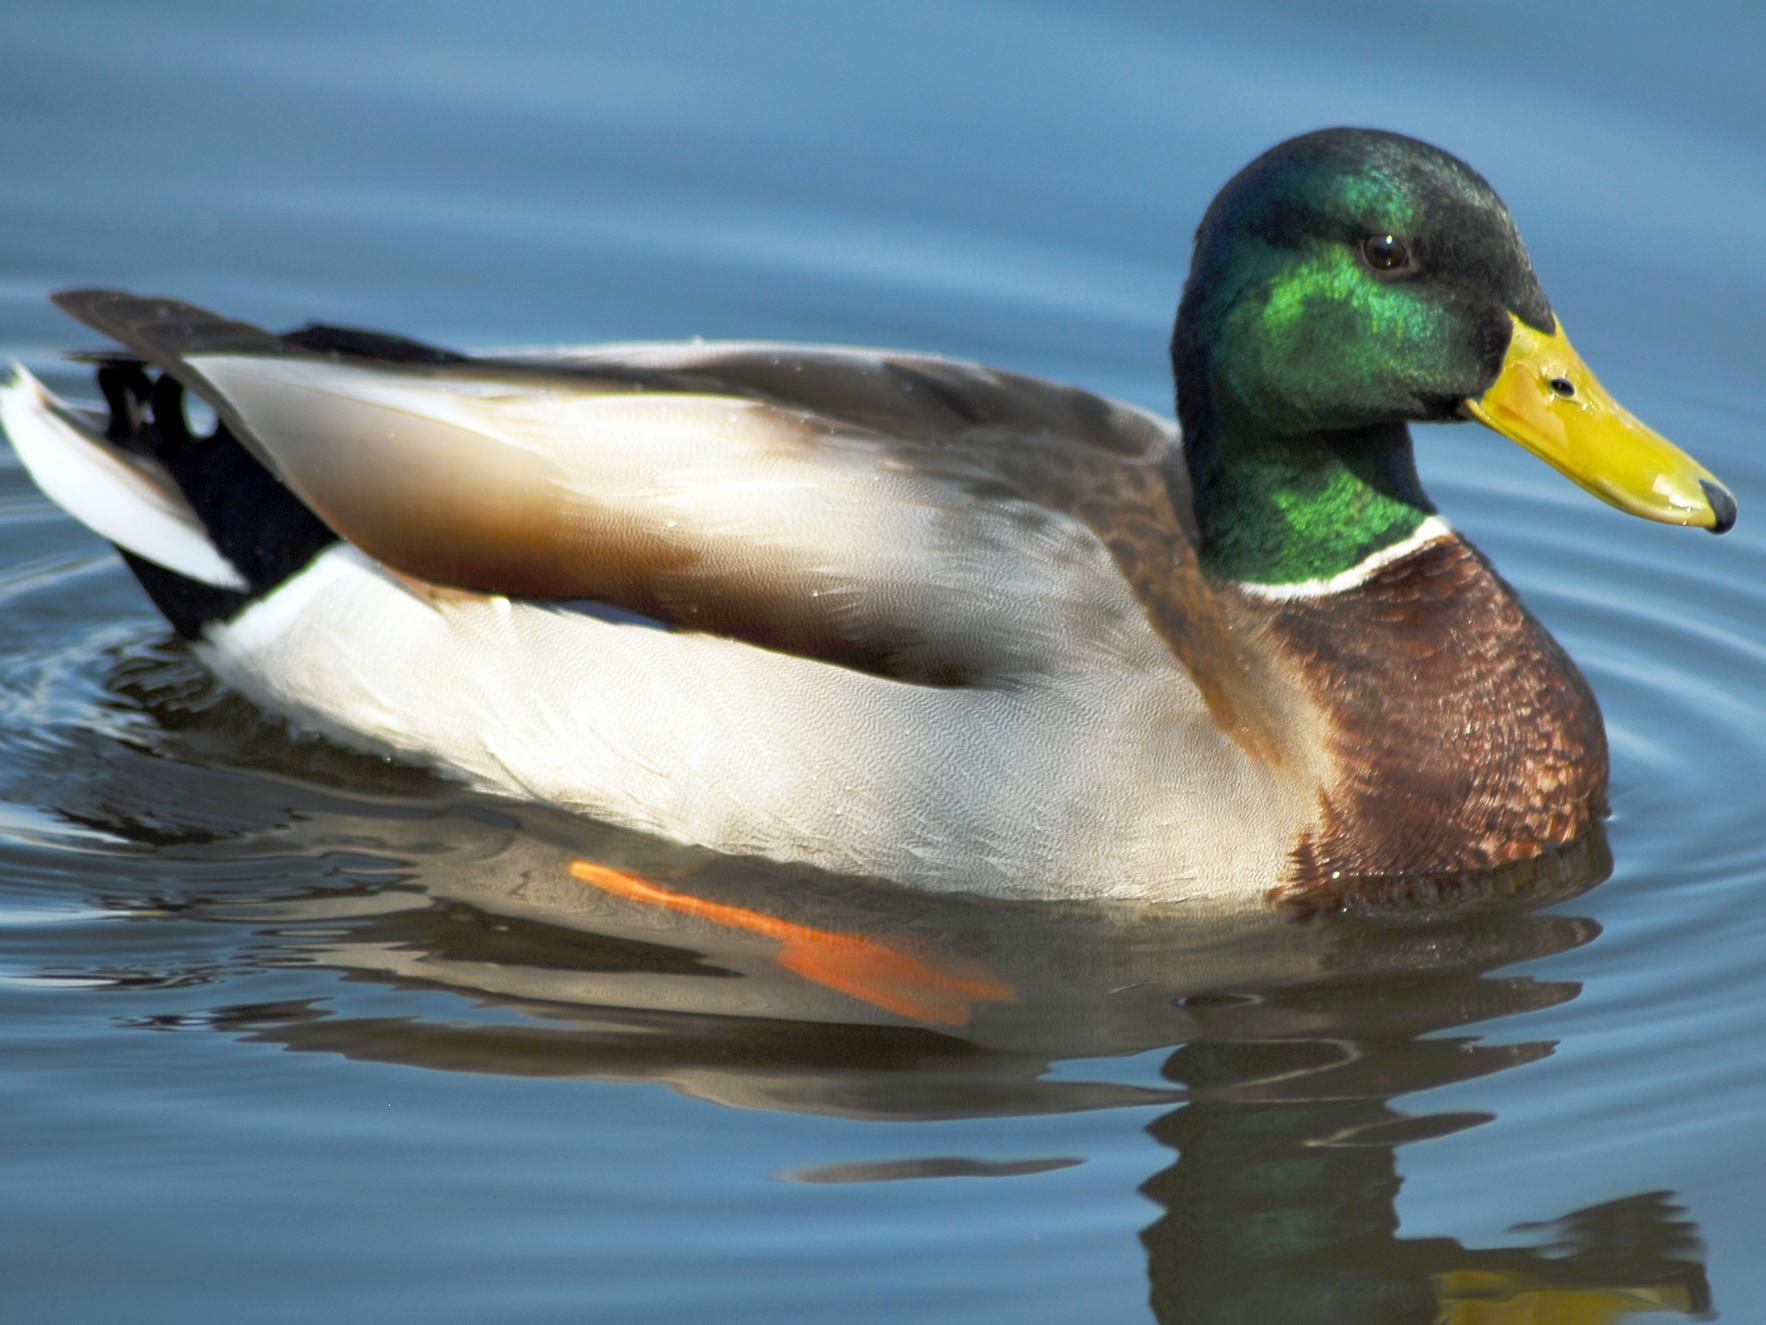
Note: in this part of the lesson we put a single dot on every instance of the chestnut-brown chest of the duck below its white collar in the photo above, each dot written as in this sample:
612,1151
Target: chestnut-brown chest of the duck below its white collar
1461,738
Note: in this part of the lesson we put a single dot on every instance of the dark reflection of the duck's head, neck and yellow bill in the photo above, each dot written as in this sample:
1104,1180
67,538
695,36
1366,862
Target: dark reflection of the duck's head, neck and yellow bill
1281,1204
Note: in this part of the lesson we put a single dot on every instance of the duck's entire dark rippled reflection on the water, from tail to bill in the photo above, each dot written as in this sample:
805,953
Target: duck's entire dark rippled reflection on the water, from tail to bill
580,951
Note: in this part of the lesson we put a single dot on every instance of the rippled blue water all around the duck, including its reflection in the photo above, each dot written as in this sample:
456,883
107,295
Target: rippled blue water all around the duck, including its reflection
291,1034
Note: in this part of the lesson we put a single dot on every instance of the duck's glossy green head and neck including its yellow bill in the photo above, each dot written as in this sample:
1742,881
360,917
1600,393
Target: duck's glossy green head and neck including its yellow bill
1352,282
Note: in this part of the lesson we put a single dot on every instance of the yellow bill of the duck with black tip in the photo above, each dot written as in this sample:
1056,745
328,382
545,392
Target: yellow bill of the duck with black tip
1546,400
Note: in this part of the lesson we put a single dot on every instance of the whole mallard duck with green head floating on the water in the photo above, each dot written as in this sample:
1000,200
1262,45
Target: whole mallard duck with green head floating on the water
909,617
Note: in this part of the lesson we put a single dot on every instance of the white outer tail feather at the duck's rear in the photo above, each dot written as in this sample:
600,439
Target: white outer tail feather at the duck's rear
126,499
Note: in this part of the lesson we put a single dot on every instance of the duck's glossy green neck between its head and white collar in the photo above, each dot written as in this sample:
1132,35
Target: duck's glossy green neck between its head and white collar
1295,508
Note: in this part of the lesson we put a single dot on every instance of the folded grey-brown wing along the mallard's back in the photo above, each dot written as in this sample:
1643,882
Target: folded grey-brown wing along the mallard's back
910,517
